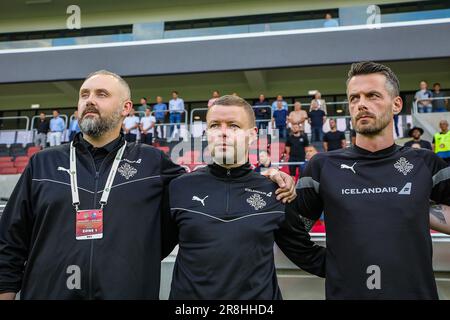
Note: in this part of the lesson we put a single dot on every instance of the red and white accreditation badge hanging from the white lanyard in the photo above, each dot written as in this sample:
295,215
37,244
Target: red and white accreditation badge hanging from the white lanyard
89,224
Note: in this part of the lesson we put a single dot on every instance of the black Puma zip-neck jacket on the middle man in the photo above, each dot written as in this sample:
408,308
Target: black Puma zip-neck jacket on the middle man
228,220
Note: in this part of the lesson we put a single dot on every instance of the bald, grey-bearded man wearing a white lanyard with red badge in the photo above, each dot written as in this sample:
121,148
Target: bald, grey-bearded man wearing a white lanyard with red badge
74,227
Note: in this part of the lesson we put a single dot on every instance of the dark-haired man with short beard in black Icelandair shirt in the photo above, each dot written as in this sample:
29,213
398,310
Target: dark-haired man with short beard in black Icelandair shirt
376,199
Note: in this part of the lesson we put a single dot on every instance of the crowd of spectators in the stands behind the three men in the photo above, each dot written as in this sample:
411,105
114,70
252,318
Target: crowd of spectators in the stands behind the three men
160,123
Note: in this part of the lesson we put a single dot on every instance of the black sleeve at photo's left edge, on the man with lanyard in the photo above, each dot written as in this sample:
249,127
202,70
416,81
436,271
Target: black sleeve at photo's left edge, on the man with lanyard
16,225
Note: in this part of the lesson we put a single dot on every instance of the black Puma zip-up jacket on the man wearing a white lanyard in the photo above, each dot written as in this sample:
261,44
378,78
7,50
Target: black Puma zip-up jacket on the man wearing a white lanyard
38,248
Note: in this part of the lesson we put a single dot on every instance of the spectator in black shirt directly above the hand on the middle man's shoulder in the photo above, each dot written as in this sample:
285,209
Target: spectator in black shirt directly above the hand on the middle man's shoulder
295,147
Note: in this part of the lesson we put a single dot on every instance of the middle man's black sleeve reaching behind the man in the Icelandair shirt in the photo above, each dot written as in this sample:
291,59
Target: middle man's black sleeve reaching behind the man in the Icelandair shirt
295,242
